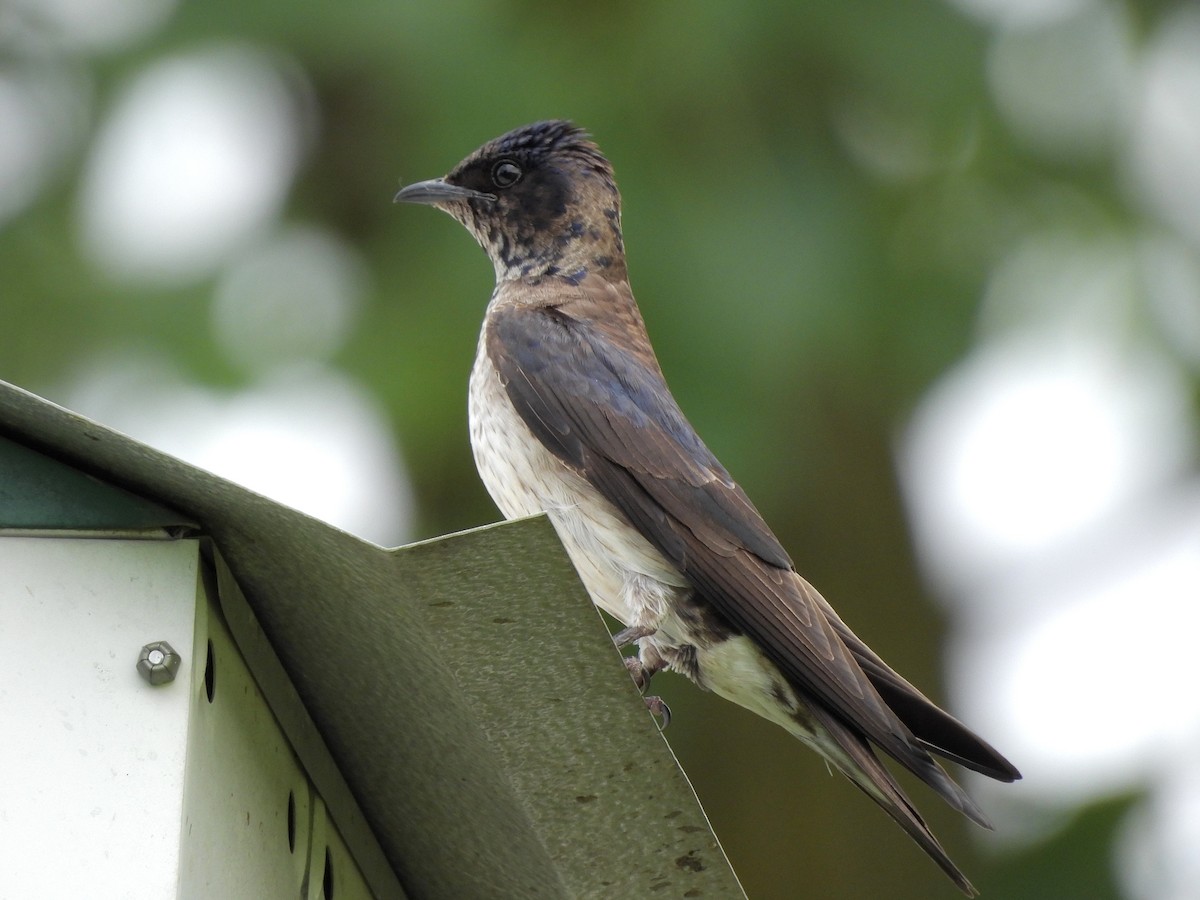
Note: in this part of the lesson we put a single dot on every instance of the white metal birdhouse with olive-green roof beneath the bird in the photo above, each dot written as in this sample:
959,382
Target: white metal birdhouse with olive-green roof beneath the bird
206,694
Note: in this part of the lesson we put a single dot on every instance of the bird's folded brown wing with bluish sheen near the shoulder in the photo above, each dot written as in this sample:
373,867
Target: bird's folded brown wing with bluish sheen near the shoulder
609,416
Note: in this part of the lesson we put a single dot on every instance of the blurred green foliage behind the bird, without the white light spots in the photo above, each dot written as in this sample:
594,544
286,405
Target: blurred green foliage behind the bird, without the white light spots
801,303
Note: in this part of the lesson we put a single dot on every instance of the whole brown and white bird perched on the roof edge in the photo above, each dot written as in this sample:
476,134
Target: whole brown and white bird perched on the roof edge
571,416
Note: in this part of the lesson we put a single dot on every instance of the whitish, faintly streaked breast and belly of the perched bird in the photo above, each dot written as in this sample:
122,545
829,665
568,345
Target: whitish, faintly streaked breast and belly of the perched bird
623,573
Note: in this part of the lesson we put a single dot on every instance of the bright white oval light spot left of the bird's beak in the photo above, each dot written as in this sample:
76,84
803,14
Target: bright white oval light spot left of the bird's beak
195,161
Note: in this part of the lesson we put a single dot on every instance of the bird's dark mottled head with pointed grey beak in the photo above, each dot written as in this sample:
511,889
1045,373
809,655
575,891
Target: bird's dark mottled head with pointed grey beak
542,201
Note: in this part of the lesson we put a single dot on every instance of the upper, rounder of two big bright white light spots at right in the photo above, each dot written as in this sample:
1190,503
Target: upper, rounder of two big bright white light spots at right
1030,446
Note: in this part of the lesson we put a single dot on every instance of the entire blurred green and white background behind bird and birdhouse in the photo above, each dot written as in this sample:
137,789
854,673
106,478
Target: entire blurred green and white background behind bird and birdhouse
926,274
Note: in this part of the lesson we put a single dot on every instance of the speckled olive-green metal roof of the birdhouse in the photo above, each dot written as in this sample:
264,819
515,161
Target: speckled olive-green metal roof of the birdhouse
523,742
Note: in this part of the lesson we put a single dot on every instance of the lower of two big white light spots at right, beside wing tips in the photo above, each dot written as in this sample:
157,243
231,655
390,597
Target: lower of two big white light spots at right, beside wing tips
1095,659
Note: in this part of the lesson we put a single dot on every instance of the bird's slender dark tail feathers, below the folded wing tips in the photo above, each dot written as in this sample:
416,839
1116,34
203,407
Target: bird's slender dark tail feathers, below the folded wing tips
860,764
